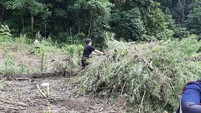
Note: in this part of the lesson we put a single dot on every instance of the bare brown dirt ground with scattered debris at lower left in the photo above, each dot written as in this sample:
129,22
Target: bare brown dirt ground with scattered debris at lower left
64,97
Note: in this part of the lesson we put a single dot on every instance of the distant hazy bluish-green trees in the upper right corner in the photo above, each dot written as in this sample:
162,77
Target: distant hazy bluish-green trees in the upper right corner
185,12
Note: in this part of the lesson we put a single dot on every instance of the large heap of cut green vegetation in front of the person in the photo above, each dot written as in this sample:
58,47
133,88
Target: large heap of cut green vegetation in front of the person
149,75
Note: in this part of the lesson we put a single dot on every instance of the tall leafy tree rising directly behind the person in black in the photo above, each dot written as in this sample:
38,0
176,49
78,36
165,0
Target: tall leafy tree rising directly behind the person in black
95,15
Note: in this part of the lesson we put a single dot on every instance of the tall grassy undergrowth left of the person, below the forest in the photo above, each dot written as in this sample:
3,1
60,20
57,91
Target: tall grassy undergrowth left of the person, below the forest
20,55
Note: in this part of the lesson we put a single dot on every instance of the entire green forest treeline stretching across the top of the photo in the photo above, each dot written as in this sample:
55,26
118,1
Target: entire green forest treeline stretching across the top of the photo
70,21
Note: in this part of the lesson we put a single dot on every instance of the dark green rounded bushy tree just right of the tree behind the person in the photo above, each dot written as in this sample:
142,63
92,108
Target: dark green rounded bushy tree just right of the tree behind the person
128,24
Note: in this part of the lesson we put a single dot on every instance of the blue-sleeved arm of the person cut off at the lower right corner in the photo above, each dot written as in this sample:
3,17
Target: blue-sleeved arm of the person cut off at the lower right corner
191,99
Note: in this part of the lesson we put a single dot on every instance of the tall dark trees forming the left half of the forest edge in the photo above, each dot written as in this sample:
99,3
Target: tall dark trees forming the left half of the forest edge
59,19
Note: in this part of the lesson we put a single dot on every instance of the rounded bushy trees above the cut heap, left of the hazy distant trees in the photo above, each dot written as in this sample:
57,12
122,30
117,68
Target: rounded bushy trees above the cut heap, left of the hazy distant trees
134,18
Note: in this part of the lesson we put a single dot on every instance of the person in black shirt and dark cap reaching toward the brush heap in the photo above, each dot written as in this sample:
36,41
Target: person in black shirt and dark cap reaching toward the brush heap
88,51
